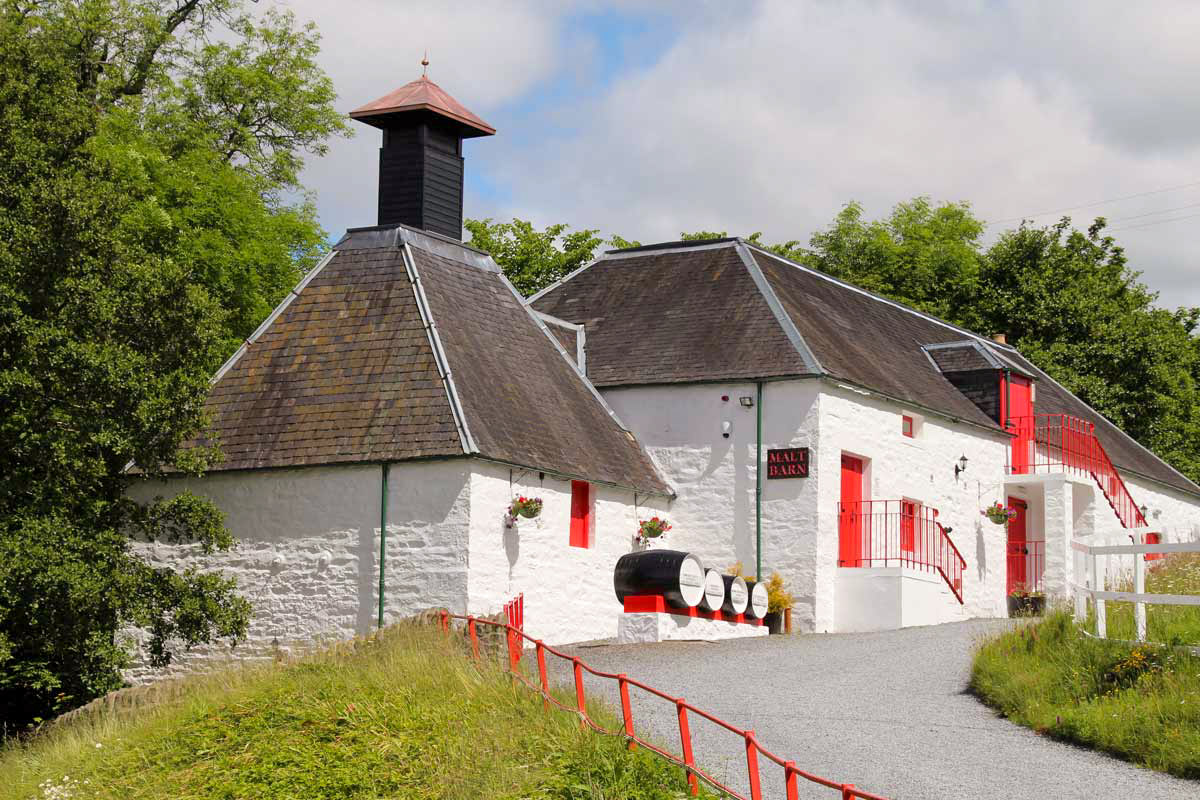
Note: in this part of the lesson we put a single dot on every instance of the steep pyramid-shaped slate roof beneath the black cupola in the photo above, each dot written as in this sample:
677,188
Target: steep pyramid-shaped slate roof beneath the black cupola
347,372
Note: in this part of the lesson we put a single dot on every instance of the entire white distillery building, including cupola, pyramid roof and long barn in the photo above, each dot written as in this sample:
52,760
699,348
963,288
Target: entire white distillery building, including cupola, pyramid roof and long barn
379,424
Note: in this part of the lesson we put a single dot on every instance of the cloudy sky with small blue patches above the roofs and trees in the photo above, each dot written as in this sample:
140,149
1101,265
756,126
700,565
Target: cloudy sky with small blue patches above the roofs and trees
649,119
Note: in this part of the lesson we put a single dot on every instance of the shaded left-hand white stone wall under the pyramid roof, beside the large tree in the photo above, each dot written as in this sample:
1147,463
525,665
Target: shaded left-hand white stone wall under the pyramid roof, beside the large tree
309,546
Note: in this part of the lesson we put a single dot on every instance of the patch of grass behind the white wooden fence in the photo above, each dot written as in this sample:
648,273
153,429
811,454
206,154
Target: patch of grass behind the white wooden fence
1175,575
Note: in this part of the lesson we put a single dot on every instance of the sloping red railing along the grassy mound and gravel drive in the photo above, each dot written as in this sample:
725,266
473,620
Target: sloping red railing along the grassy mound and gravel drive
683,711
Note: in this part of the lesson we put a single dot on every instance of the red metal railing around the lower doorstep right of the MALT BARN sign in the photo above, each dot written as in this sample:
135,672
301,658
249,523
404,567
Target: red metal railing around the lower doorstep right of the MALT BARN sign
898,533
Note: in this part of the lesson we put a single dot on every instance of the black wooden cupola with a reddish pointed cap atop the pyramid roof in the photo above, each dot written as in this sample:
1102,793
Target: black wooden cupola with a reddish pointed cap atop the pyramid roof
421,161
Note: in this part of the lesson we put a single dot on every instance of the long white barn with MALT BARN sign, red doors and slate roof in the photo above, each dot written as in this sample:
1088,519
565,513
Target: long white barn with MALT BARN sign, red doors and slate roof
909,428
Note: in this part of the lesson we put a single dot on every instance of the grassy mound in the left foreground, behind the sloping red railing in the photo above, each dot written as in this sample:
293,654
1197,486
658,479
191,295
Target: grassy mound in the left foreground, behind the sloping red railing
404,715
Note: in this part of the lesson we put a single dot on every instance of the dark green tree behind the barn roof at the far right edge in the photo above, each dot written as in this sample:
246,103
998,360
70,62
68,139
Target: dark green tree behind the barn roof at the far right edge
1073,306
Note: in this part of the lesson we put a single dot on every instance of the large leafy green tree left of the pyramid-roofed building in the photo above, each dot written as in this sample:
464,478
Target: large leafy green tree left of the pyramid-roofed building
146,151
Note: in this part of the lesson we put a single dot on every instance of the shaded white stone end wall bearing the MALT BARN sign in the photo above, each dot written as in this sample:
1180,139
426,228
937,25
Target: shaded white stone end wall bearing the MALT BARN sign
715,477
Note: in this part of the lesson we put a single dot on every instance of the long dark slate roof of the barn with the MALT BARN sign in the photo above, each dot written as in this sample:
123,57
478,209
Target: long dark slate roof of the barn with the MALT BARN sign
731,311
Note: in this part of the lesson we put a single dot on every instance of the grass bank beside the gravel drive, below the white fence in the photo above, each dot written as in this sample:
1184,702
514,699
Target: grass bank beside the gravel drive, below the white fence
1142,703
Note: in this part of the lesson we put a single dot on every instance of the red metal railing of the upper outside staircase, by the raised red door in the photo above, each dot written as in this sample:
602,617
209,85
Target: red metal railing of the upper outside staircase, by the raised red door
1051,443
